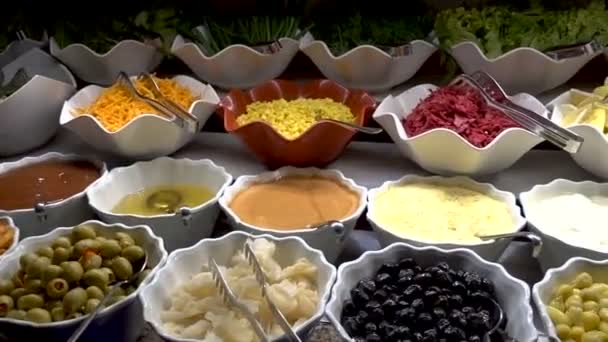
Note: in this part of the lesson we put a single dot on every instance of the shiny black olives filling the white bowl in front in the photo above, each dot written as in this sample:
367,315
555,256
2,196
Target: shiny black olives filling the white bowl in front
404,302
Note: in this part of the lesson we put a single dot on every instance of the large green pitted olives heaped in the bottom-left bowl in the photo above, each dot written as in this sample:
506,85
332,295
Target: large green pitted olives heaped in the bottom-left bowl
69,278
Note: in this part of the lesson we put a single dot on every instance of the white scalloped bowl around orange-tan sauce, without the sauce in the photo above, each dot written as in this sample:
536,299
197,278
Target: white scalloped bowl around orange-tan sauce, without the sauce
329,241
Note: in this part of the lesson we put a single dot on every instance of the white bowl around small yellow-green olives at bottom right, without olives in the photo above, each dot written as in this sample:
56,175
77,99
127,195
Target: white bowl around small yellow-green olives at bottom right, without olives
544,289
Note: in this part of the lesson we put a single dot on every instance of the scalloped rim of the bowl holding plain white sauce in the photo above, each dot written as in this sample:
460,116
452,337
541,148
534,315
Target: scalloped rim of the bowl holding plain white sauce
524,198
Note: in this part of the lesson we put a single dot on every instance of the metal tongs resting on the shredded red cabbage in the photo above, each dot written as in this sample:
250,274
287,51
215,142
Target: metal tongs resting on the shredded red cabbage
497,98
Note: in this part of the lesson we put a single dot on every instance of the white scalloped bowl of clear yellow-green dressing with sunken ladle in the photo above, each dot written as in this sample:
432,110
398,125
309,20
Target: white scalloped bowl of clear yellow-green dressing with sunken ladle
177,198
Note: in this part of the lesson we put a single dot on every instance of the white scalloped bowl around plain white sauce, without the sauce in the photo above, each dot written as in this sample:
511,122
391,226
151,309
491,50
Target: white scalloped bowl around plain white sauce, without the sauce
555,250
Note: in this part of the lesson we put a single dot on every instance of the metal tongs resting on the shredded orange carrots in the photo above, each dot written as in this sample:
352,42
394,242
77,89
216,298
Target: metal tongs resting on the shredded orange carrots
162,104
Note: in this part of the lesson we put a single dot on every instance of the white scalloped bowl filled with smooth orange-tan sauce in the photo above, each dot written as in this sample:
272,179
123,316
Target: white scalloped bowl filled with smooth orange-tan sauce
296,202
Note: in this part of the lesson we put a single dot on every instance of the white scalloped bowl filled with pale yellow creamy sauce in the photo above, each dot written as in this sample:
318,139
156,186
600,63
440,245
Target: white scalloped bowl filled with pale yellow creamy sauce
448,212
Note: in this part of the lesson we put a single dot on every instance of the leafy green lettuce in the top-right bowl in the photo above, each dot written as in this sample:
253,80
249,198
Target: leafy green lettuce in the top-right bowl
499,29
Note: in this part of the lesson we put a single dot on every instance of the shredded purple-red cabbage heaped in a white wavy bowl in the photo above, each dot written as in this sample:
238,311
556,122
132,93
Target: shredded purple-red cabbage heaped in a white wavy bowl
461,109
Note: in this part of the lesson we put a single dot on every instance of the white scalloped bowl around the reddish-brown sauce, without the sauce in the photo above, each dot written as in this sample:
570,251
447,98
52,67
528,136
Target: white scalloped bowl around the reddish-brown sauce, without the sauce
69,212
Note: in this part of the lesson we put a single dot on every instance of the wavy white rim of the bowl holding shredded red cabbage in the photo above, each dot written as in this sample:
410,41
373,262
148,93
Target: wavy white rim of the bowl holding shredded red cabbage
408,139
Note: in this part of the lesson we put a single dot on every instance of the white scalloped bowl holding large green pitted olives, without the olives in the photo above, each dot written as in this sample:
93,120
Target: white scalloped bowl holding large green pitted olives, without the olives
61,331
